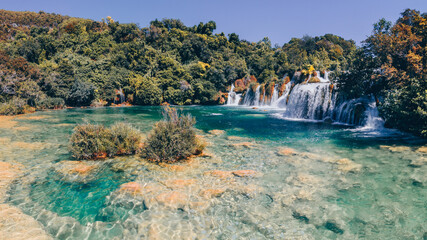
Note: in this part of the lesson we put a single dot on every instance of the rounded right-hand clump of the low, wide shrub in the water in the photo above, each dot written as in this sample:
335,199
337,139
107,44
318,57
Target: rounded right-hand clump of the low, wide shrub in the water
125,138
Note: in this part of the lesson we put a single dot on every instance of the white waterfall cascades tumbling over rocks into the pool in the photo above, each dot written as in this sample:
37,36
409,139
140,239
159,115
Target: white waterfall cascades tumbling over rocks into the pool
314,101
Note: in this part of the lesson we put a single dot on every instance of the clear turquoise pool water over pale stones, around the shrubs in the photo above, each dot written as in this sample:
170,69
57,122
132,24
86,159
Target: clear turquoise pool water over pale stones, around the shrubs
377,193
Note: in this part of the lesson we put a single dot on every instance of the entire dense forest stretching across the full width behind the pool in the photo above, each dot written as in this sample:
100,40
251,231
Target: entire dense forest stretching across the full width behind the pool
51,61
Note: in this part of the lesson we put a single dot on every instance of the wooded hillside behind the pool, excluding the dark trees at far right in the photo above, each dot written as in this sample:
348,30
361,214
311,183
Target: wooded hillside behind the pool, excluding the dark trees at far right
80,61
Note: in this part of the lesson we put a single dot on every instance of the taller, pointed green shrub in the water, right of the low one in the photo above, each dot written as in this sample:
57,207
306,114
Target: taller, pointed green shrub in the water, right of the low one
172,139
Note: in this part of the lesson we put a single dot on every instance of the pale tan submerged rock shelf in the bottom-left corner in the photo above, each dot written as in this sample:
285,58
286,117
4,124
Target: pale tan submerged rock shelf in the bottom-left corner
14,224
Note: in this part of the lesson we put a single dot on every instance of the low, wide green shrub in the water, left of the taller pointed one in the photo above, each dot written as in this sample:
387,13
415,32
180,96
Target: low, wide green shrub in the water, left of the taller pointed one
92,141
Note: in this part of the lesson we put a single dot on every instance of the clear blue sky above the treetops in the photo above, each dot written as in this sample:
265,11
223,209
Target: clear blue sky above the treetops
252,20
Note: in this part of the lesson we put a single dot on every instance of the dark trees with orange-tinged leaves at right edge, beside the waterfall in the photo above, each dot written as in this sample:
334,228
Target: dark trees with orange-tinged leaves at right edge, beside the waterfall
392,67
